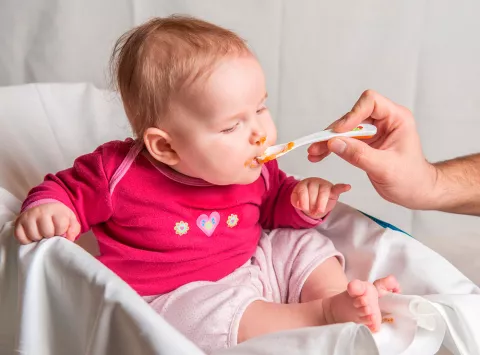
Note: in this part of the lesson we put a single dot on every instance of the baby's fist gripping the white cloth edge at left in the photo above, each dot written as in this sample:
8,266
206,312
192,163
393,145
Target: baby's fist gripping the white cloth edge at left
45,221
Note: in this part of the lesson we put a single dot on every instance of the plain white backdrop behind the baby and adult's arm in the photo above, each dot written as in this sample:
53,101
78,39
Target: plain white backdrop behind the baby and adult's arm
318,57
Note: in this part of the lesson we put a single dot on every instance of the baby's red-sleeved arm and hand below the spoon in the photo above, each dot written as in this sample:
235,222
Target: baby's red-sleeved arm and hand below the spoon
290,203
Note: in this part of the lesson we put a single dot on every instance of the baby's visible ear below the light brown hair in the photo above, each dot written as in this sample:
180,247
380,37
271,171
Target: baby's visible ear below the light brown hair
158,145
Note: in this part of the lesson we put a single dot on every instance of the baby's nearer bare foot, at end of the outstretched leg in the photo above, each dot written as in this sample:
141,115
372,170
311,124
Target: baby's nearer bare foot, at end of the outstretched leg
358,304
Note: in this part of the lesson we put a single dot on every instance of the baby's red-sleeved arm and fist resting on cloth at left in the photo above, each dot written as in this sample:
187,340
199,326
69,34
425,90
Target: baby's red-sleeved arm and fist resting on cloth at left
67,203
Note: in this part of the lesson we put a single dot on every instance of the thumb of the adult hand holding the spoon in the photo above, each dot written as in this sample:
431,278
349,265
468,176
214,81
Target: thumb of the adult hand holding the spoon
358,153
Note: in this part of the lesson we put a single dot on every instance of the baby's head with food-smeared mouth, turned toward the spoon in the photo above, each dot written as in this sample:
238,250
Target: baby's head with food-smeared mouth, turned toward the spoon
196,95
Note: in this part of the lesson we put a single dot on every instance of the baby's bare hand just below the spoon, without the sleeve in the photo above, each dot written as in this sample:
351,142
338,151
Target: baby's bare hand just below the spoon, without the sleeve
316,197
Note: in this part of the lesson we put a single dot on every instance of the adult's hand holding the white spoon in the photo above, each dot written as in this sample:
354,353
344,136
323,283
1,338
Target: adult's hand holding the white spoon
393,158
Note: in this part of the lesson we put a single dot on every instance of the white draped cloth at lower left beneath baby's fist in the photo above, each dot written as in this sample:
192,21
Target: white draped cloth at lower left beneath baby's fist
58,299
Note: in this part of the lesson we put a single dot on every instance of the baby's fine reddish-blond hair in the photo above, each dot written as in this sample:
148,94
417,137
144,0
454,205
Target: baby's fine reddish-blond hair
154,61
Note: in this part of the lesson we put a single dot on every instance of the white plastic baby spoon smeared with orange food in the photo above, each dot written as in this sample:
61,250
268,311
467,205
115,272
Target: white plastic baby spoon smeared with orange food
363,131
